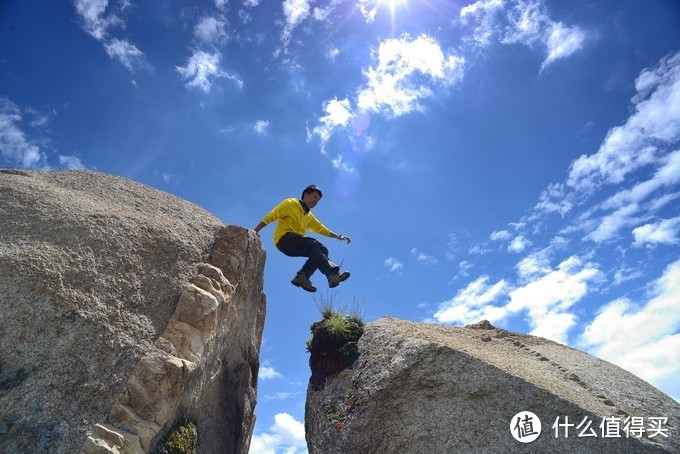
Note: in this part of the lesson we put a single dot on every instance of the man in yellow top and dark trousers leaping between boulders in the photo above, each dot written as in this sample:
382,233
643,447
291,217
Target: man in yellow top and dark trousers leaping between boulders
294,219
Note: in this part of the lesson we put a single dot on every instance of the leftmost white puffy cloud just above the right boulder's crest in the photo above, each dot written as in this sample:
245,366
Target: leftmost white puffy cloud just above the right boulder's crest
472,304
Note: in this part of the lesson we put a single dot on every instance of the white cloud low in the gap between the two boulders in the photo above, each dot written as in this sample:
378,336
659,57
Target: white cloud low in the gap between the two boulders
286,435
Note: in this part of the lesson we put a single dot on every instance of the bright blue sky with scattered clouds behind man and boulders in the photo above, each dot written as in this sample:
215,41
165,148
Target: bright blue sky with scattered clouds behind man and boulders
509,160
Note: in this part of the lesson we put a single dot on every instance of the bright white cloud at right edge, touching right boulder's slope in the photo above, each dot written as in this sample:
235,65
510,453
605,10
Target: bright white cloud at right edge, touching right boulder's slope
642,339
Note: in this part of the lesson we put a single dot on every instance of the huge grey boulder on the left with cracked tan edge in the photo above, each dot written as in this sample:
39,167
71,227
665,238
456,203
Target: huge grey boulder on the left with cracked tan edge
124,310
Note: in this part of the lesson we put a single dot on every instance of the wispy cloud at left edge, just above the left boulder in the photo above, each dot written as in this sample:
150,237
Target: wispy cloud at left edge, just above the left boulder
15,147
